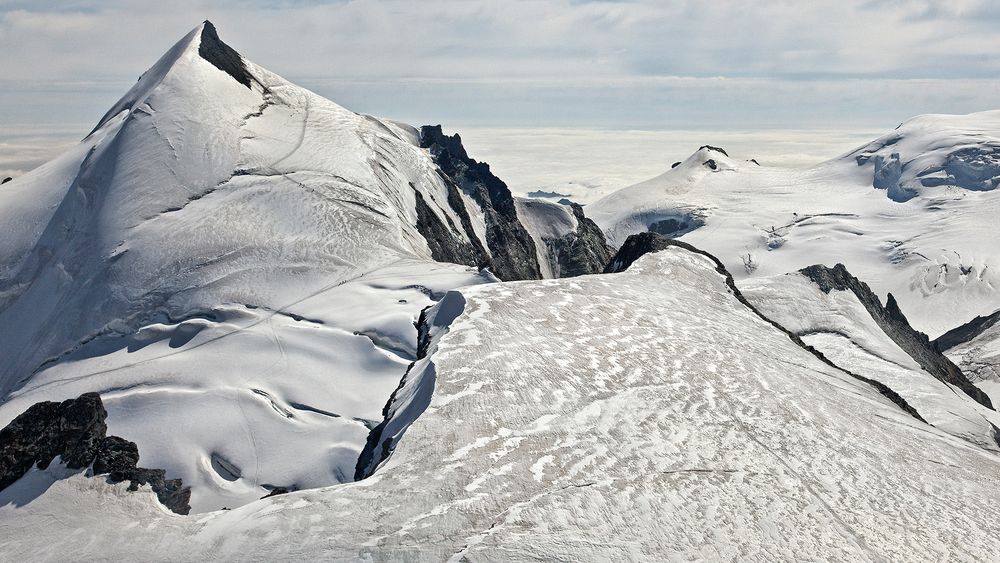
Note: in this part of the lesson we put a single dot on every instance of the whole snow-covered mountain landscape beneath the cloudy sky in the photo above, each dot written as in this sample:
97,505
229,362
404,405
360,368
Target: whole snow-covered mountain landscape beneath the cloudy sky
259,285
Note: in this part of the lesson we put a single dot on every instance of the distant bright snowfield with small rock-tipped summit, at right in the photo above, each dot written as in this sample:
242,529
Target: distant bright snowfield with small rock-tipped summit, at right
935,252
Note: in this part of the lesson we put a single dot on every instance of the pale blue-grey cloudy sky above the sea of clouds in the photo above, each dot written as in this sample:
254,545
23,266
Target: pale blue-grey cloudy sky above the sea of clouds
651,65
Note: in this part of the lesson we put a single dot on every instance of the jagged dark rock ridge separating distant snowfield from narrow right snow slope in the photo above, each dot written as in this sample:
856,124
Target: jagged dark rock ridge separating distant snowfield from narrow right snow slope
893,322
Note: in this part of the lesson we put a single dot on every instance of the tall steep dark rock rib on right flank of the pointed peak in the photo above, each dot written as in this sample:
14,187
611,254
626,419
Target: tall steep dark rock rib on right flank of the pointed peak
512,249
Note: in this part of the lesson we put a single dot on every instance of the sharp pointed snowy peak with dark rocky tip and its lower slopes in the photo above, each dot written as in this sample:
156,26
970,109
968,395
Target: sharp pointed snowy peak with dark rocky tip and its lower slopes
234,266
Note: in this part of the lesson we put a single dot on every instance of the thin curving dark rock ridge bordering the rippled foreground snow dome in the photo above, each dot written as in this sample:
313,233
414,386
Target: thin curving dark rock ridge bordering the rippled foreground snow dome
638,245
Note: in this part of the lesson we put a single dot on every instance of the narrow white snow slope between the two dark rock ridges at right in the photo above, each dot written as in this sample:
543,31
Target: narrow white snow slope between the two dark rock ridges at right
839,326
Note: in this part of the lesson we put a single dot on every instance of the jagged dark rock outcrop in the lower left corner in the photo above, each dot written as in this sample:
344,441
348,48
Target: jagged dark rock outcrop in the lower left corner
76,432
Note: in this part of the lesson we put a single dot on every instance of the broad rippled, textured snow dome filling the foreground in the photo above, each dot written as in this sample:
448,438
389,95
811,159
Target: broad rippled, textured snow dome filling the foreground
636,416
